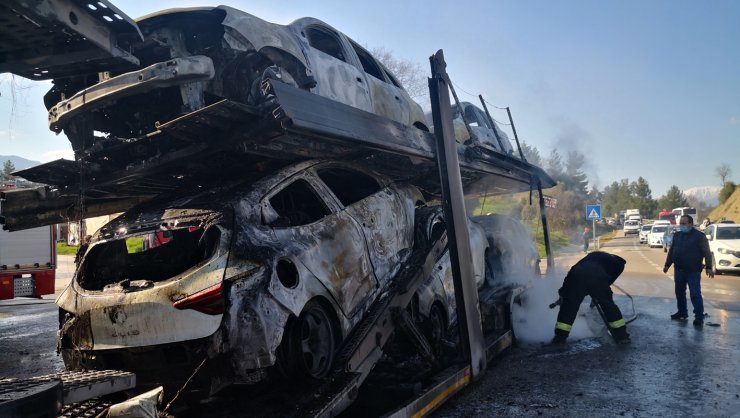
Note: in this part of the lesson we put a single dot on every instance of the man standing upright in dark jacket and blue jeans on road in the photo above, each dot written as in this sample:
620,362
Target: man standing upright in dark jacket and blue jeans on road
687,250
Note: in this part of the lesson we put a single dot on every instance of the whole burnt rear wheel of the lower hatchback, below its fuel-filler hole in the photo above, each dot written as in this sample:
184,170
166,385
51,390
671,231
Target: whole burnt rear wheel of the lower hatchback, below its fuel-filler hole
310,344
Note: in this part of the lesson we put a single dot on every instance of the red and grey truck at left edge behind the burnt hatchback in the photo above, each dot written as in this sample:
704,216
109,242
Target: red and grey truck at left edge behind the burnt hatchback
28,260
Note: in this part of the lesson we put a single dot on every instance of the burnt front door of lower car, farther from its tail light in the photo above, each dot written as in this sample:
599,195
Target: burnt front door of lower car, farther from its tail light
384,213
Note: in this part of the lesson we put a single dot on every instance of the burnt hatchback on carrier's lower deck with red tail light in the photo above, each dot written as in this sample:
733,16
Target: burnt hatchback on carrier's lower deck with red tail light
276,272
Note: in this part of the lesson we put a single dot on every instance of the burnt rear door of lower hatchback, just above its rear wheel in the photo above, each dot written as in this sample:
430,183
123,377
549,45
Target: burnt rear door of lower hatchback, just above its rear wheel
326,240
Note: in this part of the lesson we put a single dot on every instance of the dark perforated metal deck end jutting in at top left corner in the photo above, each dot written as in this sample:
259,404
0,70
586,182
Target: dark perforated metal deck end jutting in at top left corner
47,39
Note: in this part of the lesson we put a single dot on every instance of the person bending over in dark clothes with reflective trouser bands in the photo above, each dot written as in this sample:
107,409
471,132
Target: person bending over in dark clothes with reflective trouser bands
593,275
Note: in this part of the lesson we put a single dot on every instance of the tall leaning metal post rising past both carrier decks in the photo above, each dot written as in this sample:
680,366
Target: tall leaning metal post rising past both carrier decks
466,292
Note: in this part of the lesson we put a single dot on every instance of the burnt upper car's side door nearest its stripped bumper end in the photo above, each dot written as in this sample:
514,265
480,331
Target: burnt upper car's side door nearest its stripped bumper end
337,78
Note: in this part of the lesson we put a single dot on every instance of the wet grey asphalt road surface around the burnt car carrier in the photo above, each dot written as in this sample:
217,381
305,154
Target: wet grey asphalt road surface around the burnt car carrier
670,369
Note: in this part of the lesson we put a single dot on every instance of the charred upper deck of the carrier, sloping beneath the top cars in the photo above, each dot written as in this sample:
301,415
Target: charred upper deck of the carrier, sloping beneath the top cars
229,141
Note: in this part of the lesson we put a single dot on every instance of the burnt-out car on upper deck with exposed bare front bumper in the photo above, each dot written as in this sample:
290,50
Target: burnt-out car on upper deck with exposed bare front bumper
192,58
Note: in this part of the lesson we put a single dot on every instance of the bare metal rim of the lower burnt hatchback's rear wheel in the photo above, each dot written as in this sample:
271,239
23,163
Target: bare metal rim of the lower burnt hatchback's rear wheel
316,342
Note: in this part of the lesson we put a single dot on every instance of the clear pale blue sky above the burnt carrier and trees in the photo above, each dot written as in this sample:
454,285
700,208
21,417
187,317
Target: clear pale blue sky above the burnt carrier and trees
641,88
